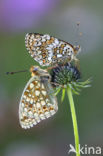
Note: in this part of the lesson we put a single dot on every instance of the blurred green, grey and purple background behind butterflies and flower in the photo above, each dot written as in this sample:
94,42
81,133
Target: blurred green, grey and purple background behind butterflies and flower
57,18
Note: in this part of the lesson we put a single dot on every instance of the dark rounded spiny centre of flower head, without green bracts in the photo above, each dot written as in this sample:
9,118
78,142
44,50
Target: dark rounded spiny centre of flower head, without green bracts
65,74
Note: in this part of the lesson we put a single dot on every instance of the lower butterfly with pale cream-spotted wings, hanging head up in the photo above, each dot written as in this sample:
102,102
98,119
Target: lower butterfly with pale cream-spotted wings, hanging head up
37,101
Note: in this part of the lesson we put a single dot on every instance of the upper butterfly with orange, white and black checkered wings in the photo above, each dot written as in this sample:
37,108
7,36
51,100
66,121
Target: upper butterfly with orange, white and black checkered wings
48,50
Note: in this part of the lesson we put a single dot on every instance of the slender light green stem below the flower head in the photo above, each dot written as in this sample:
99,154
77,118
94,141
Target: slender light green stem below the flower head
74,120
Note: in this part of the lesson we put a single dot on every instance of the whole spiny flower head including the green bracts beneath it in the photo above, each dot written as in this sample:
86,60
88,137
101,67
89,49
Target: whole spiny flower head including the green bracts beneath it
67,75
